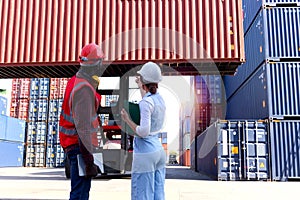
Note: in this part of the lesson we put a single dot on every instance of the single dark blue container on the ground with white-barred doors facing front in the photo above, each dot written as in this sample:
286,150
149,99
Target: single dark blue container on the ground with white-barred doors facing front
234,150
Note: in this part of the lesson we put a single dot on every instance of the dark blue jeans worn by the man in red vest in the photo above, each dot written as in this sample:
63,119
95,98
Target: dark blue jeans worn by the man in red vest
80,186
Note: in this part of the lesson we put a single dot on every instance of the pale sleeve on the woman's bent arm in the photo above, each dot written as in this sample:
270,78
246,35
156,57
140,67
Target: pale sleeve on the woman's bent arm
146,108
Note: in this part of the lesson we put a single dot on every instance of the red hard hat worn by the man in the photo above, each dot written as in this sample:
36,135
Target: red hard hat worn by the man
91,53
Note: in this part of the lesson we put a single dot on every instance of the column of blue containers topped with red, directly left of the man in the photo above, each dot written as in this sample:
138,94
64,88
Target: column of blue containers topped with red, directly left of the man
55,153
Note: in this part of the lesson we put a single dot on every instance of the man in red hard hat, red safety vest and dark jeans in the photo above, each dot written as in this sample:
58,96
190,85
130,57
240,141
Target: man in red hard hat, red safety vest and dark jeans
79,121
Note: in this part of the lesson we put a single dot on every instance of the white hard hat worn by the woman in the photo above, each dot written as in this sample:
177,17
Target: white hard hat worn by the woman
151,73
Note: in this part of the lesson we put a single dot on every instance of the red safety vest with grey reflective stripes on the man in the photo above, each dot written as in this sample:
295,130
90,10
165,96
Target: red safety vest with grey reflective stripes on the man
67,131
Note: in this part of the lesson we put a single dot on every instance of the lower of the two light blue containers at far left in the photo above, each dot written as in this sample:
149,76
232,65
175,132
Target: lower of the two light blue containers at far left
11,154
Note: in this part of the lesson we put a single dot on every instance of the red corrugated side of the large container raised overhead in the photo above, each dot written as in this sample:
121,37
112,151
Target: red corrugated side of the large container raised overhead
53,32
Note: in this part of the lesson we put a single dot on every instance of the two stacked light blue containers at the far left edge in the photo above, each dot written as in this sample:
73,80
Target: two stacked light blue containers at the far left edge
12,135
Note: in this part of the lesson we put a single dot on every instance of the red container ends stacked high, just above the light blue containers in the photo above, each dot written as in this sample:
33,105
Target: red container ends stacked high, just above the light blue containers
20,98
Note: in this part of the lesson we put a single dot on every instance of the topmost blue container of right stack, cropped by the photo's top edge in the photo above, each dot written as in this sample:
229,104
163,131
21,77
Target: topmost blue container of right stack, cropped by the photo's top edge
252,7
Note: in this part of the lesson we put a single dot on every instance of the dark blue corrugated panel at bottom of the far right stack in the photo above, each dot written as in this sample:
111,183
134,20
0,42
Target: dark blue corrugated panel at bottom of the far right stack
285,149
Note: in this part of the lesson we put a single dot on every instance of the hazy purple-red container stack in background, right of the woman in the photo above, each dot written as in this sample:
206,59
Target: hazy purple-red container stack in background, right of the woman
209,107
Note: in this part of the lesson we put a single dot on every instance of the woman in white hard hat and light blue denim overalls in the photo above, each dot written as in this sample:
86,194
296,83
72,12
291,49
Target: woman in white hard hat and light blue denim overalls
148,167
